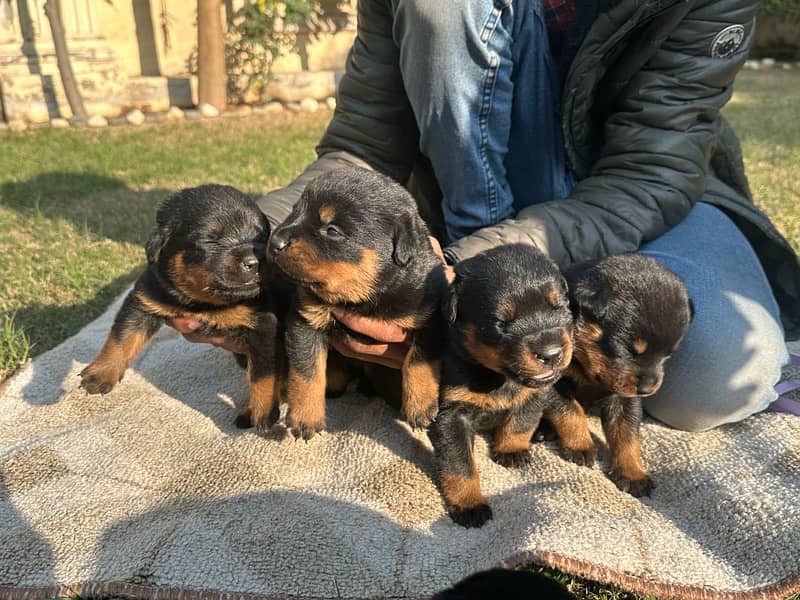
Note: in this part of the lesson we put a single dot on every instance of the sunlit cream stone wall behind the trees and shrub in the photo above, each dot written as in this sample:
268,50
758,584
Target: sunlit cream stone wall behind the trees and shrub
122,59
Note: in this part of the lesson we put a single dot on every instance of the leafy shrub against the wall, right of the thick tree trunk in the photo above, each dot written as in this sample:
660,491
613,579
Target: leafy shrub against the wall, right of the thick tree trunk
262,31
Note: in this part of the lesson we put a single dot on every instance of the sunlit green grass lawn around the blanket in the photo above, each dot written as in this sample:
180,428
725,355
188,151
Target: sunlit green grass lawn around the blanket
76,205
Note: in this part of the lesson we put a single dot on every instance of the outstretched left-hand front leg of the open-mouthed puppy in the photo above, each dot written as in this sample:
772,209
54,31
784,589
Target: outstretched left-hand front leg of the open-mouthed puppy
453,437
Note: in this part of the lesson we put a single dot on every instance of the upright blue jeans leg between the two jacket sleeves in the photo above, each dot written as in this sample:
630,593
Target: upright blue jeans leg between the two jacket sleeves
485,93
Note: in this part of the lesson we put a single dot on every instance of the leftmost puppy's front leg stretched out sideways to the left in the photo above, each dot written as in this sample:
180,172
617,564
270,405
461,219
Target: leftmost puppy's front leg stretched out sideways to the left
133,328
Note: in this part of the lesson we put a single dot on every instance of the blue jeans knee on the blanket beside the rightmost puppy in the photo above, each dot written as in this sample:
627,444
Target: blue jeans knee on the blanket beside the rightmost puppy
732,355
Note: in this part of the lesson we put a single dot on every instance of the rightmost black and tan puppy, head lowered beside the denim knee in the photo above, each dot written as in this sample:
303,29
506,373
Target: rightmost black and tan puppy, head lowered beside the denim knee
631,313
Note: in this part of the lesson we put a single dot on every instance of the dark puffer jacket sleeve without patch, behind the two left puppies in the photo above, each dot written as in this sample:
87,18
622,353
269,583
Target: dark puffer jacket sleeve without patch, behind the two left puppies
373,124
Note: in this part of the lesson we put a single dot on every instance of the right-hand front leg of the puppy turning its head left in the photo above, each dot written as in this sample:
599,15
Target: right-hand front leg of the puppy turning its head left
421,377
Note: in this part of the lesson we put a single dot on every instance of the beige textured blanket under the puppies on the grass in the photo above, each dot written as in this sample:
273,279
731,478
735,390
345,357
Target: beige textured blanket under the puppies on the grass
151,491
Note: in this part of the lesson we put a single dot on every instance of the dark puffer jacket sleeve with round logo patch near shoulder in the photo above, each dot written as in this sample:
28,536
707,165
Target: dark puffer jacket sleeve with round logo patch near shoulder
654,160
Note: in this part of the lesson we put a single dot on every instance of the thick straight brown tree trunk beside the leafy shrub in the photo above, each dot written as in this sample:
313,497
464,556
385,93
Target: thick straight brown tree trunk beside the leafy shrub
211,78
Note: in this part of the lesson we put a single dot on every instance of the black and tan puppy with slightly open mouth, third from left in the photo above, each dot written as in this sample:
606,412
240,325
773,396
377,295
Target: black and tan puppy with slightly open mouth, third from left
509,341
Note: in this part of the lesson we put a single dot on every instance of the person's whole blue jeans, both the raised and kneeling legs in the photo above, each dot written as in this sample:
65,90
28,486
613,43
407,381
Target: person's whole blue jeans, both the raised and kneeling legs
485,93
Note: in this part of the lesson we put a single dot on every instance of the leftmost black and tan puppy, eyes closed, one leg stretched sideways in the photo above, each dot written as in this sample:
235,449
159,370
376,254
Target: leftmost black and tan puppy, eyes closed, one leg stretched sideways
205,260
